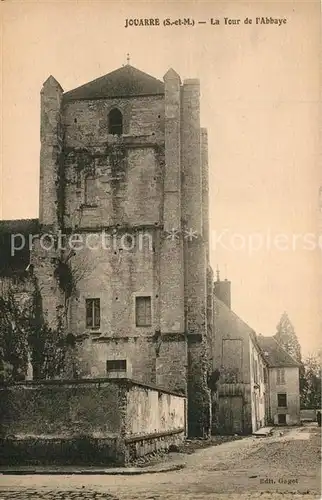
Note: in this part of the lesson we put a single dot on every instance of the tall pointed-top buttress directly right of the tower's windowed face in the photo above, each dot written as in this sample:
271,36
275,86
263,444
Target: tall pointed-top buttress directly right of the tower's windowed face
171,248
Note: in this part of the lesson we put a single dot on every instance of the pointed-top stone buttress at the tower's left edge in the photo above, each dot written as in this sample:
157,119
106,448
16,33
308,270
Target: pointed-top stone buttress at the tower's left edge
51,200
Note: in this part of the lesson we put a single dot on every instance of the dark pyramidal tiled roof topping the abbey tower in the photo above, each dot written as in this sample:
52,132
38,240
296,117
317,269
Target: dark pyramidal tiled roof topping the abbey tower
123,82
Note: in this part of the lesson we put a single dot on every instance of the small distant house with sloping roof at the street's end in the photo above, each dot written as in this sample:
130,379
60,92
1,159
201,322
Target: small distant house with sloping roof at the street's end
283,385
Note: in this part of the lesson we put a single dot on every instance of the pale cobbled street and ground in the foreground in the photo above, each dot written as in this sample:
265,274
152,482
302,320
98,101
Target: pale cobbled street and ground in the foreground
284,466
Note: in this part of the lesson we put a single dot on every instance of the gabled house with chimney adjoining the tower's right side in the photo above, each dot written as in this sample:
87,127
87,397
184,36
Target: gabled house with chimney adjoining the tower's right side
241,394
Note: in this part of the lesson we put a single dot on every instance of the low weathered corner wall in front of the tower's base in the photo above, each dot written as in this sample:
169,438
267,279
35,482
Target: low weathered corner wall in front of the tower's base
87,421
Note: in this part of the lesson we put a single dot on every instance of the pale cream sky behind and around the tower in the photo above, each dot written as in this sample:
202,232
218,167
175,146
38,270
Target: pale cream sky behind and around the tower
260,101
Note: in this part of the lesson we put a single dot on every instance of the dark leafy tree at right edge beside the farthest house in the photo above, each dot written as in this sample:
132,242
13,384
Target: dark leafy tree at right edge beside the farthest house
311,389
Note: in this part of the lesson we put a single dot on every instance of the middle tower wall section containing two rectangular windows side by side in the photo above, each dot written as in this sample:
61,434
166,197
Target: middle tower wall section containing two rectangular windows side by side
116,276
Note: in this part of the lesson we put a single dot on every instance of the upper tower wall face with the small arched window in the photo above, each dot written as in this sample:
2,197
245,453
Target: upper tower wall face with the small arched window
127,170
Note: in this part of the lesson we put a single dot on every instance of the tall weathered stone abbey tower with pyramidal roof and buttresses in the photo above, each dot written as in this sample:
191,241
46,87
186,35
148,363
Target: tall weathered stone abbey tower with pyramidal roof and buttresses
124,156
